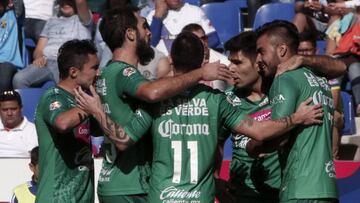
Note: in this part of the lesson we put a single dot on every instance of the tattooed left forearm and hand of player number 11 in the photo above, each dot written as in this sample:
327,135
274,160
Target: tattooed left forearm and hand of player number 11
92,105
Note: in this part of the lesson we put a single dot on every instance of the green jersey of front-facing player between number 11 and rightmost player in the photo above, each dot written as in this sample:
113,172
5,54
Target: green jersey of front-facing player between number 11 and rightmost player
248,176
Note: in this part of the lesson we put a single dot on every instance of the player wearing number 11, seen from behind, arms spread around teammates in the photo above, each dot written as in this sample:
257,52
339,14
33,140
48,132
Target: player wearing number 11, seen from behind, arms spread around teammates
185,131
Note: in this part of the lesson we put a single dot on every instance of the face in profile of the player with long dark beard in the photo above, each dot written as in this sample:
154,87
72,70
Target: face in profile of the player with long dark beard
143,48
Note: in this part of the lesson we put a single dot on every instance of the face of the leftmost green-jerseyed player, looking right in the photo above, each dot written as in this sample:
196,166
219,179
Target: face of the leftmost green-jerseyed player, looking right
87,75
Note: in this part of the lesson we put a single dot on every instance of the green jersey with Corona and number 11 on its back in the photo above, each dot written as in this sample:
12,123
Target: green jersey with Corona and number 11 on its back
185,135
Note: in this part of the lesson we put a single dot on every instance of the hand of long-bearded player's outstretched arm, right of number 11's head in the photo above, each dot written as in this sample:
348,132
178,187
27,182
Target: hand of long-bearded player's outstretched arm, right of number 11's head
215,71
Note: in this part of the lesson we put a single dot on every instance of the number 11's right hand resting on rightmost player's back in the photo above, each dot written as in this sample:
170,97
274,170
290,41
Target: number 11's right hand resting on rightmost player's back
307,114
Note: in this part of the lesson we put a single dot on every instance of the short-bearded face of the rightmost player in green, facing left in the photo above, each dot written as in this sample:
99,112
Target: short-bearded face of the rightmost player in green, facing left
267,58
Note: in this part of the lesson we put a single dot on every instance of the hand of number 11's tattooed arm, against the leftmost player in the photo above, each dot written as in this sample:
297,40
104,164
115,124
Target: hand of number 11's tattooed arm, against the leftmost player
91,104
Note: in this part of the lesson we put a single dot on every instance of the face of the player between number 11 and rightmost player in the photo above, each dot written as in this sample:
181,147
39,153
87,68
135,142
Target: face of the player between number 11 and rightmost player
244,71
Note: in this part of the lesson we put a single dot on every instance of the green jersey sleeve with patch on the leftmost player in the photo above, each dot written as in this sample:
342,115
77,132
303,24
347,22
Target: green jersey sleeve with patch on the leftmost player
54,105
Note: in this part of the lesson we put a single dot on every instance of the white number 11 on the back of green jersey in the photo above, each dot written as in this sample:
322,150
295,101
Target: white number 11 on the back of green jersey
192,147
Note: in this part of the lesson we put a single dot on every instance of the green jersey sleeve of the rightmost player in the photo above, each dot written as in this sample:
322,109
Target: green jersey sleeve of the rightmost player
283,96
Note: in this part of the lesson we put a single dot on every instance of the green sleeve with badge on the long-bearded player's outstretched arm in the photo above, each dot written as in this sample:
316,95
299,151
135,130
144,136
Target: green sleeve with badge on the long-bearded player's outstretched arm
130,81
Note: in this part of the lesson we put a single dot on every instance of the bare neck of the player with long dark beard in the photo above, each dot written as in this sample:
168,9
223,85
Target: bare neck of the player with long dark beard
127,55
